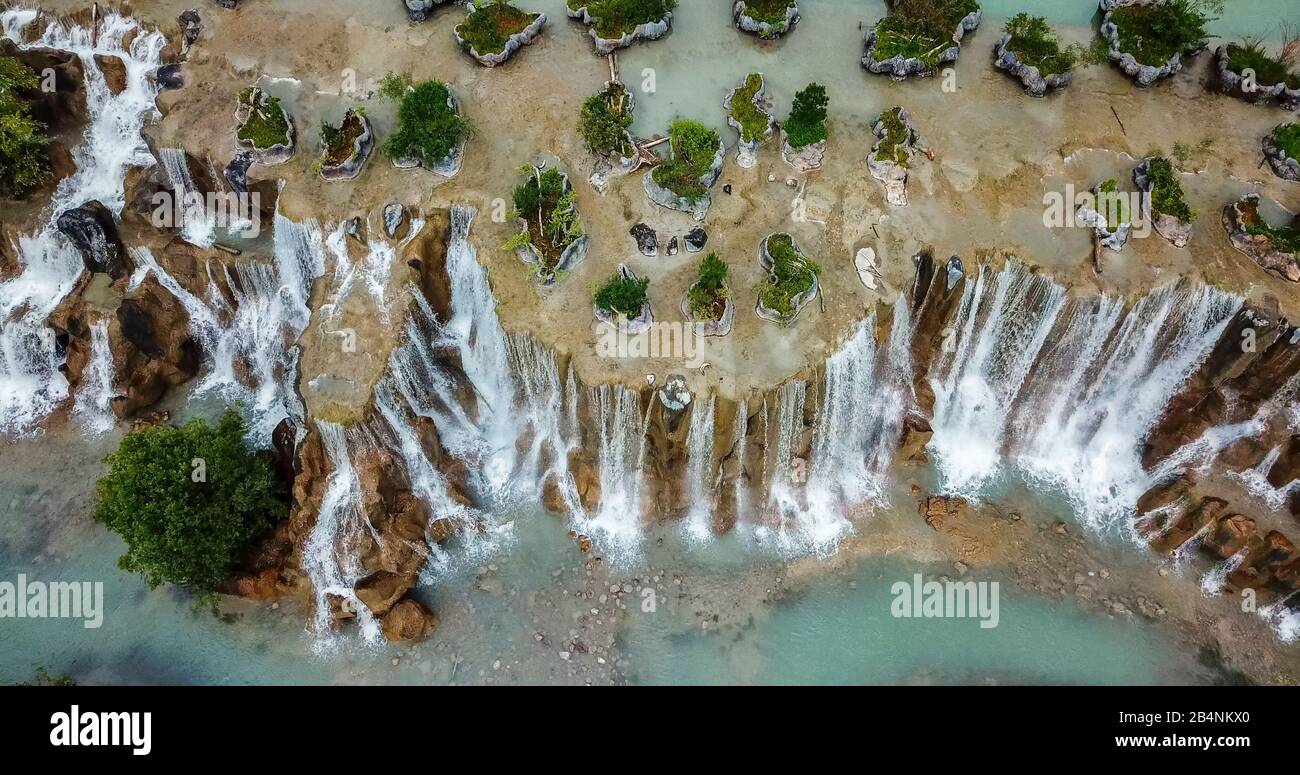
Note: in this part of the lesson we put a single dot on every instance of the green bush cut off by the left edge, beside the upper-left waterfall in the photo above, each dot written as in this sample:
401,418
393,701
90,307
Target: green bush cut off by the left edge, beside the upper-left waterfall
24,146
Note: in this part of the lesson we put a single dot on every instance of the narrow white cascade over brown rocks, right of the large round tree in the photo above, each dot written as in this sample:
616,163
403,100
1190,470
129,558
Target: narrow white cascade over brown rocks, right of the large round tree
330,553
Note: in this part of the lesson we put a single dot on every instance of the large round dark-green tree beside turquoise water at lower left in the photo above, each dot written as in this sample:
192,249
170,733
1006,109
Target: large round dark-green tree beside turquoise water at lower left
181,531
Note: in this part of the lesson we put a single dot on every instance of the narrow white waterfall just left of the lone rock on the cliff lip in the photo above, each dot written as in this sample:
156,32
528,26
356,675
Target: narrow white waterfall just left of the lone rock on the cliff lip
622,428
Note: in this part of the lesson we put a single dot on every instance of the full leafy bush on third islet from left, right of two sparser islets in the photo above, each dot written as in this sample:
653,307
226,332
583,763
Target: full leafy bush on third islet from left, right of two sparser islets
428,128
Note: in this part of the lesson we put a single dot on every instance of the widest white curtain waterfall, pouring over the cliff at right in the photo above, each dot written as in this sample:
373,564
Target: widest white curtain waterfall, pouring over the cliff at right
1065,391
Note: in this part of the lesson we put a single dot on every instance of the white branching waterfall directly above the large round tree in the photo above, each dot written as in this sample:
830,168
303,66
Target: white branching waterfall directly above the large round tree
249,339
